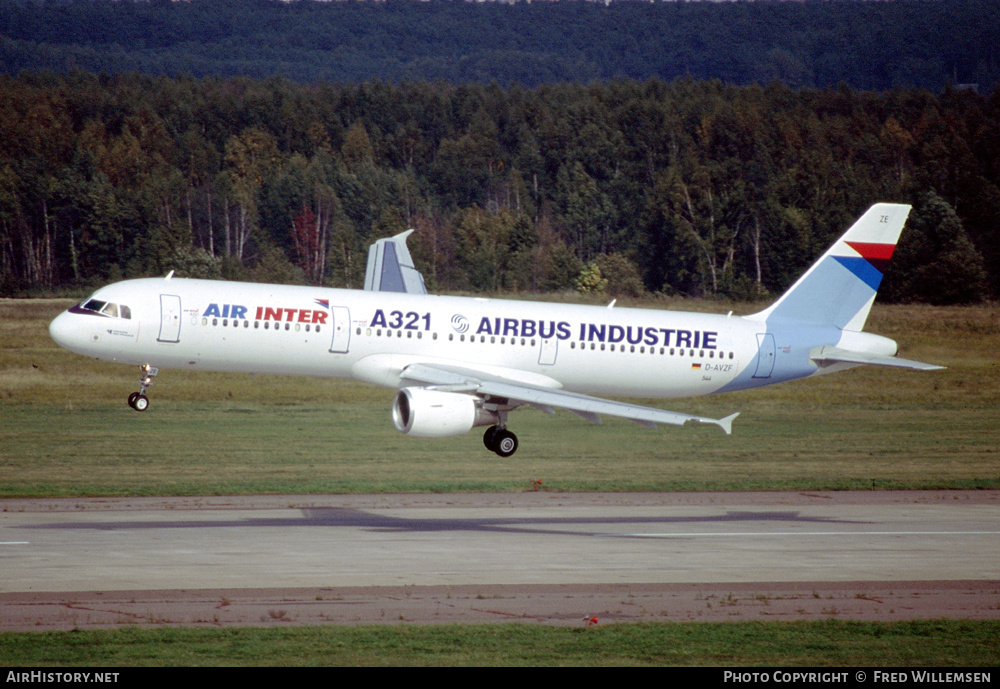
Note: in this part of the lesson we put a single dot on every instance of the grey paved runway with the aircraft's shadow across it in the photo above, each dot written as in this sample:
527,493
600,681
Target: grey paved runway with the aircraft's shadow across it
547,557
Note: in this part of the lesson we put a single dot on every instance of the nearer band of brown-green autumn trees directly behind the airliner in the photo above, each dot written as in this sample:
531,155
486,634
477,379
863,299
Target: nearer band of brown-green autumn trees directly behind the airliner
687,187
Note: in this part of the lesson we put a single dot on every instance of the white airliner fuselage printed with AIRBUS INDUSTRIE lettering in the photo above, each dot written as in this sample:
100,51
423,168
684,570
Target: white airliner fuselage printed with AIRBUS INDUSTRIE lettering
372,336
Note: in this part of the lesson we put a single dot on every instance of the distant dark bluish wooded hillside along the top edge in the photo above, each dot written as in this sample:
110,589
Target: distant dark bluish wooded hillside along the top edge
816,43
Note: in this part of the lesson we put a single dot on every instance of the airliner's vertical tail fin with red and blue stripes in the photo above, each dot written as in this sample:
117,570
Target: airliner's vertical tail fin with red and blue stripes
840,287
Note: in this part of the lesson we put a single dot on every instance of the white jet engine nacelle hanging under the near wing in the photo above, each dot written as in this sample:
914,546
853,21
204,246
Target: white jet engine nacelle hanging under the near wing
435,414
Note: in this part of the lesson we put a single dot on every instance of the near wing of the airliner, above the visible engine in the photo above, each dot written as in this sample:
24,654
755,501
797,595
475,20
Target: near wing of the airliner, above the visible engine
495,387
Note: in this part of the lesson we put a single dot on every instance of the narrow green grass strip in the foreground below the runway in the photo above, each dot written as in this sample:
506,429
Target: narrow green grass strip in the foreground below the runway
936,643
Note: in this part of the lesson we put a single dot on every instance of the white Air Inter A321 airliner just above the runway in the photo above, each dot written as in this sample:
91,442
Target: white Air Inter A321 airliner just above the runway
458,363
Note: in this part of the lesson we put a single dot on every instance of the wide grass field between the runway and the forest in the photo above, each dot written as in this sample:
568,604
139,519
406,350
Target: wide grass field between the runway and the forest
66,430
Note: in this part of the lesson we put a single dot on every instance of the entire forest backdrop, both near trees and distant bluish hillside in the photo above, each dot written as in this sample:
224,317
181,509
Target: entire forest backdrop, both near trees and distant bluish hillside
684,148
